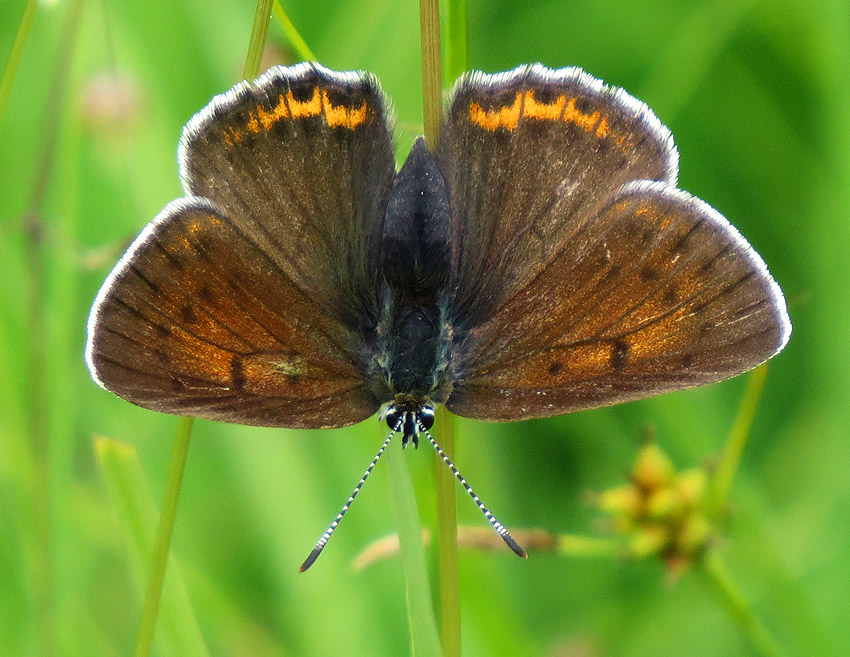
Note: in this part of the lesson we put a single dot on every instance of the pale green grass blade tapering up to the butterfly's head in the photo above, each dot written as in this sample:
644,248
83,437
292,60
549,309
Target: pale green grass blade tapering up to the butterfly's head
425,642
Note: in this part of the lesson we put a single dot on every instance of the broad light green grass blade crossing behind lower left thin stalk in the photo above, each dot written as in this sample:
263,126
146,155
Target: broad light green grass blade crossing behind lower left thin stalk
179,633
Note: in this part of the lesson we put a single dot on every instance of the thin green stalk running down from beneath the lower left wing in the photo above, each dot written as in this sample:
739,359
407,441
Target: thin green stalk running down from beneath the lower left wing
164,533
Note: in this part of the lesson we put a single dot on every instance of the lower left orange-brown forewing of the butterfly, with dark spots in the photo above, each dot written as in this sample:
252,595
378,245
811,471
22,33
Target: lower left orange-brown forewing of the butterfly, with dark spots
197,320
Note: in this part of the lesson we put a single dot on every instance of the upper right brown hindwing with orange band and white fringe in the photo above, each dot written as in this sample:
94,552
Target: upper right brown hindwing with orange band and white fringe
529,157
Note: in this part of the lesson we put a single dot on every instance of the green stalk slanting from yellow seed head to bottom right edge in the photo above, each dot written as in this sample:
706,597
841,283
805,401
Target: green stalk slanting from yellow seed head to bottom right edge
720,581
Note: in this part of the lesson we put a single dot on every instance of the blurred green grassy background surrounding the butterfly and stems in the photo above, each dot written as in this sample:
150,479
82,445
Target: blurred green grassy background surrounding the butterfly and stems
757,95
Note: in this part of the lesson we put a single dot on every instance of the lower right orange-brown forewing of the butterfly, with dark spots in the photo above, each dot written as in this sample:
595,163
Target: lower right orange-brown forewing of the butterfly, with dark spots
662,294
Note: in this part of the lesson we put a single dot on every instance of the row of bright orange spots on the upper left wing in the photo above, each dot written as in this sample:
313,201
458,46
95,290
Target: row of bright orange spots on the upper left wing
288,107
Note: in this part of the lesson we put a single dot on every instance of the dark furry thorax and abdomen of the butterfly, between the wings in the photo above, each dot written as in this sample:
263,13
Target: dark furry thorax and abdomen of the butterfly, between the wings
415,255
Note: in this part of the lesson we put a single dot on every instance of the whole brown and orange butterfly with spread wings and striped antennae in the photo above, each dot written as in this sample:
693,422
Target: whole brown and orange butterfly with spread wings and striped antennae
541,260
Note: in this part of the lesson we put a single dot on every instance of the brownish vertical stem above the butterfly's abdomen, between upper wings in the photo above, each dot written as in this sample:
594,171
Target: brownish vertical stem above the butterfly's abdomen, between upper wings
432,78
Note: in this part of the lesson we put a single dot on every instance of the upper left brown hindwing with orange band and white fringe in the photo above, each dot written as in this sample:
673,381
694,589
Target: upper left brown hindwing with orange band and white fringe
302,161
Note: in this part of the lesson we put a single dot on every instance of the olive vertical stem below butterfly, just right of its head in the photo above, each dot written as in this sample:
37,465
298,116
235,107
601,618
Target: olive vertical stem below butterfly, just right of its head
446,533
